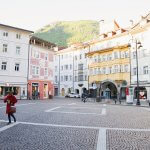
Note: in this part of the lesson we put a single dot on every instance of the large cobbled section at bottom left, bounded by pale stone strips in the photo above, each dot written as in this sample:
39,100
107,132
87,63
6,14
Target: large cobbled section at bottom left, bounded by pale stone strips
30,137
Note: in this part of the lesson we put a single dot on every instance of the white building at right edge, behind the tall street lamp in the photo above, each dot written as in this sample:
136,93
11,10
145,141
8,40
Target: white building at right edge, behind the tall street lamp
141,33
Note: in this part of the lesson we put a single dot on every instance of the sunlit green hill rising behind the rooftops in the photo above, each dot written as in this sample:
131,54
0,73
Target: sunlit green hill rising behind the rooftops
69,32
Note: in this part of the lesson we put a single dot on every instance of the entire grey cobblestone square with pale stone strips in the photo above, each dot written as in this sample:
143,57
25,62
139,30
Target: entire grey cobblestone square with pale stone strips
69,124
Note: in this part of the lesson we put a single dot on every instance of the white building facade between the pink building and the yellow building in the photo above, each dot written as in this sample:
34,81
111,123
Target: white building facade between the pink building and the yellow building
71,70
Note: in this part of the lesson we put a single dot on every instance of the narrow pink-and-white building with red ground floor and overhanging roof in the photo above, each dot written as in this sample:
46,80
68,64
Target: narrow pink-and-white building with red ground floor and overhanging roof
40,76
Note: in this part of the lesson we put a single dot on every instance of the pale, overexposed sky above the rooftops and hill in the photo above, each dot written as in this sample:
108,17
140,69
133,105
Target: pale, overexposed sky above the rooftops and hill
34,14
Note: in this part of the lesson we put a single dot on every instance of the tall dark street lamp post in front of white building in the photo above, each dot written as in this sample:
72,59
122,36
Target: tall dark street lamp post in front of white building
137,46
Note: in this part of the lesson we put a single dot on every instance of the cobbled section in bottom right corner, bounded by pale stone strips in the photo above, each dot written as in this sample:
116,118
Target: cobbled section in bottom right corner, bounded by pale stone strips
128,140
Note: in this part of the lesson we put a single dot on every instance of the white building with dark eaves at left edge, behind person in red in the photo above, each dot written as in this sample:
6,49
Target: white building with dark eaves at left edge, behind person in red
14,46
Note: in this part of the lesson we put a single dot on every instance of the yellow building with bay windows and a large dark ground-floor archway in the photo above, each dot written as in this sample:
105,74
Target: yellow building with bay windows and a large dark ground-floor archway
109,63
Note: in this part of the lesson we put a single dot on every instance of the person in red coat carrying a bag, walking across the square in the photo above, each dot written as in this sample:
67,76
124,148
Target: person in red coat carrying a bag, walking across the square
10,99
